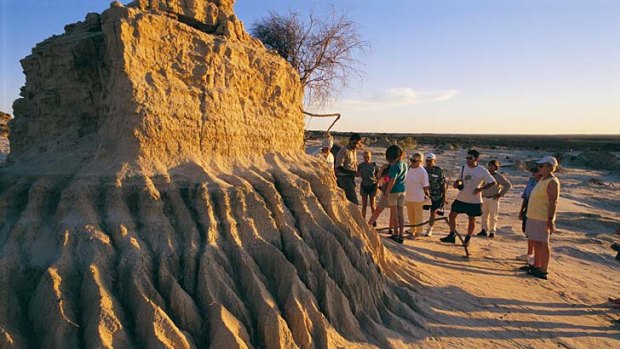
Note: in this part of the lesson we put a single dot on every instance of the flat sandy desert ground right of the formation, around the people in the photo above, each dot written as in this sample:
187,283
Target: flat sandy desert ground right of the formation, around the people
485,301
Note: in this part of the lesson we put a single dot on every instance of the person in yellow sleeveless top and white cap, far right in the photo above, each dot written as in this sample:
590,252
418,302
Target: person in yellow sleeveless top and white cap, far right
541,211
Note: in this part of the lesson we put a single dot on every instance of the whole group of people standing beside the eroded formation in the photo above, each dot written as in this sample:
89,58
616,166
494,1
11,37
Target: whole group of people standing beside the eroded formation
416,187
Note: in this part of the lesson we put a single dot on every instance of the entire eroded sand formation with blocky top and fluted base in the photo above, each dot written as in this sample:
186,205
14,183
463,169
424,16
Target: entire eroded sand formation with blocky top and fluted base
158,197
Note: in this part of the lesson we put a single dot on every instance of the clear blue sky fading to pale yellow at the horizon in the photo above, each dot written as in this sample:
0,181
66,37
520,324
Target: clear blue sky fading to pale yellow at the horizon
453,66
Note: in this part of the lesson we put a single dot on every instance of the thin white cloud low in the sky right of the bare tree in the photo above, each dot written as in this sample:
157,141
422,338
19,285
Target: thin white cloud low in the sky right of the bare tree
393,98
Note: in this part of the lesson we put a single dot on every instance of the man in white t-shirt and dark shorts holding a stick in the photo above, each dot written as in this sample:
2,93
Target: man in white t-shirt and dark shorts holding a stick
472,181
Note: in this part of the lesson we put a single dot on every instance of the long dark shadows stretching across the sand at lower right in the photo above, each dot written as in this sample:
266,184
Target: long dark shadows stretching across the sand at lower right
452,312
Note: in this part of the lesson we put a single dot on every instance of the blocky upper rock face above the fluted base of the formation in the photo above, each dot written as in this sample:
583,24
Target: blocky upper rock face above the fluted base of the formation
132,85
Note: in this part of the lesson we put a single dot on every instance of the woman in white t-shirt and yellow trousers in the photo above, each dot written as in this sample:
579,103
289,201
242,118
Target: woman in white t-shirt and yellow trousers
416,191
